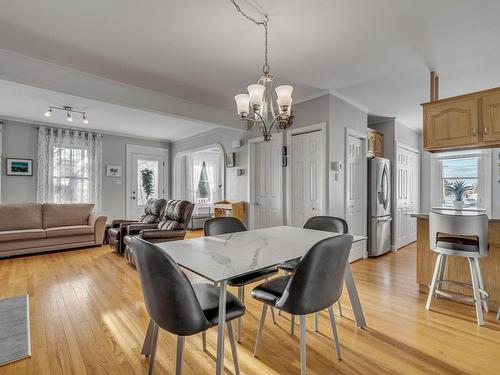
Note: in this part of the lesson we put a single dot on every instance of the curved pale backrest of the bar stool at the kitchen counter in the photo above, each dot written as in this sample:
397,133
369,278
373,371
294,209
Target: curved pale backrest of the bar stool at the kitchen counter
465,225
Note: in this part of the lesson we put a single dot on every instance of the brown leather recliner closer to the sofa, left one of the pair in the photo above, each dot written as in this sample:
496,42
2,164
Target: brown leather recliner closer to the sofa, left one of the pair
152,214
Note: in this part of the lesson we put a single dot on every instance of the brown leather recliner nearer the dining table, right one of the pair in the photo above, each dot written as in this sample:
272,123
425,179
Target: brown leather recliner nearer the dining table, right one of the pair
172,227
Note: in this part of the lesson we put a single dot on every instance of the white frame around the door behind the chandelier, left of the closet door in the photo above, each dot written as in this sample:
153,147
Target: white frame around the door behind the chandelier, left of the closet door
251,178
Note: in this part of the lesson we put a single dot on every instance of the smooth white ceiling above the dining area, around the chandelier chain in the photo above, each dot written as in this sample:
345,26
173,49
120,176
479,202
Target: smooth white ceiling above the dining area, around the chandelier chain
374,53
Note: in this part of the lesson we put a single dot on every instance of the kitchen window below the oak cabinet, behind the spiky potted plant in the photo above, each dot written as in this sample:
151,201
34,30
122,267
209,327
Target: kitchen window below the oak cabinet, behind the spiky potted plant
469,169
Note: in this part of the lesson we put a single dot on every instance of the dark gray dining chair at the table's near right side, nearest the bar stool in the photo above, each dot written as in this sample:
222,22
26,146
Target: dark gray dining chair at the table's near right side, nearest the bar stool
316,284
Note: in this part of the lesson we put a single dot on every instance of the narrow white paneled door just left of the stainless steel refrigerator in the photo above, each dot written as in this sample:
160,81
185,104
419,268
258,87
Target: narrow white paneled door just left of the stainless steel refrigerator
355,215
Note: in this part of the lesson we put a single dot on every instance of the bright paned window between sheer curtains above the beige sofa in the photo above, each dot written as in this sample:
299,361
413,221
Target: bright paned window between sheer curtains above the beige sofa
70,175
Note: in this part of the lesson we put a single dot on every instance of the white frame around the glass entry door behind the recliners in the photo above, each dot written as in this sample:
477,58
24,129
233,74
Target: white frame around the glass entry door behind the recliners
132,149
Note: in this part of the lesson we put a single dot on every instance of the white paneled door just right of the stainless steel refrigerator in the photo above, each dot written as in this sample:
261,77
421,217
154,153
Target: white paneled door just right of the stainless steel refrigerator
407,197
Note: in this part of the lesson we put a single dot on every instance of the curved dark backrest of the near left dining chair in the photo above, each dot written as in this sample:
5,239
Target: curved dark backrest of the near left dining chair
169,297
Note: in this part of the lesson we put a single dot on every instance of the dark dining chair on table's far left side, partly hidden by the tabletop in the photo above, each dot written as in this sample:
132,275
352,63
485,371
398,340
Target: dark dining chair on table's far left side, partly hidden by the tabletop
225,225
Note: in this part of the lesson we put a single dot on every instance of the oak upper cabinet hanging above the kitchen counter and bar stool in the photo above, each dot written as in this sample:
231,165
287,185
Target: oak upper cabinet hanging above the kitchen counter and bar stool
467,121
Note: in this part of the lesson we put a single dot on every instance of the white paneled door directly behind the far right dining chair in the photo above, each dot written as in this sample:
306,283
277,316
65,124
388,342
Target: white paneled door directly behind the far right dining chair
307,168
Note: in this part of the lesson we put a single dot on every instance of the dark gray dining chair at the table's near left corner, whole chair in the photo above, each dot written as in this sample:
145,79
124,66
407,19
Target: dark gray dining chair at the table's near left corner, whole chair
177,306
